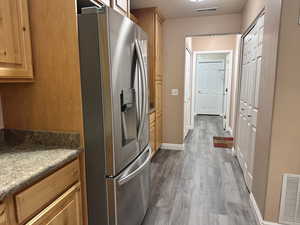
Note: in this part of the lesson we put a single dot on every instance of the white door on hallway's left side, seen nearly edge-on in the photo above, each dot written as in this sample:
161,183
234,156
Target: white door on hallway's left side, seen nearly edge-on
187,93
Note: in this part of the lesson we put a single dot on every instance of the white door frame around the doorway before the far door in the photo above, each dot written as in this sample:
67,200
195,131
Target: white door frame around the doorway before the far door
228,81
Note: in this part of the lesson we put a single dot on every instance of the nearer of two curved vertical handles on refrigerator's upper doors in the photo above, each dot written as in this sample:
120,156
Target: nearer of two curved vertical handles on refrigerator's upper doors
144,86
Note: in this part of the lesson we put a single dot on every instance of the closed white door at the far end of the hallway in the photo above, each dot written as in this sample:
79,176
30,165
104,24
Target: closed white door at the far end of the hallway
210,77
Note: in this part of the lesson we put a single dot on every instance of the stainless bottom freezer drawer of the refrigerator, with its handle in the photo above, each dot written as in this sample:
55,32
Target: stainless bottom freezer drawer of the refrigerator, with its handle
129,193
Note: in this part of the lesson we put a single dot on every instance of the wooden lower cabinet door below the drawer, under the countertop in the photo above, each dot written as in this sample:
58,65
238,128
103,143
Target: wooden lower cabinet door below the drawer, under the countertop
66,210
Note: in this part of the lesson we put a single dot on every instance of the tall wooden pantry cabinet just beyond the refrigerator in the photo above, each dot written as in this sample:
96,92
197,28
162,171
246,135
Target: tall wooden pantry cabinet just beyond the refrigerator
151,22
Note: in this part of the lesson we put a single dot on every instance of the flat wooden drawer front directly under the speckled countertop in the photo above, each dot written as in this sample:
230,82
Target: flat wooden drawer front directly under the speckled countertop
33,199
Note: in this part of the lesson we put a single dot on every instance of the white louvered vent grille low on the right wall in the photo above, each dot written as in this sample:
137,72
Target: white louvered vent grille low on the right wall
290,200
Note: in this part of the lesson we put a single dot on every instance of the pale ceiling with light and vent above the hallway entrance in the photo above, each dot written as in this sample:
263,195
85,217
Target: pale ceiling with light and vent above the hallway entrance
186,8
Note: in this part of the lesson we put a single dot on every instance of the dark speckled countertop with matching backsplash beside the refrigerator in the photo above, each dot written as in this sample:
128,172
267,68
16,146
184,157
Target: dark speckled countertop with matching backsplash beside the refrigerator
26,157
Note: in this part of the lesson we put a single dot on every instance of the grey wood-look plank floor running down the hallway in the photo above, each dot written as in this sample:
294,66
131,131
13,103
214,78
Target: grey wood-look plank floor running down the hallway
202,185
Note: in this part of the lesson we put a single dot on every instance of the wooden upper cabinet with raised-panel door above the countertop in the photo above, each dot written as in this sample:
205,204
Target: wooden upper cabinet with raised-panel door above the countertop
15,43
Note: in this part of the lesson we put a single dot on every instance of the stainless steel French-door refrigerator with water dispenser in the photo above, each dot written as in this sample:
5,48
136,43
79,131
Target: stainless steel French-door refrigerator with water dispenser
113,58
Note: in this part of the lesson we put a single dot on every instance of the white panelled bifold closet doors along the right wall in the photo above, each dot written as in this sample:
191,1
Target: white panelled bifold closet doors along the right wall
249,96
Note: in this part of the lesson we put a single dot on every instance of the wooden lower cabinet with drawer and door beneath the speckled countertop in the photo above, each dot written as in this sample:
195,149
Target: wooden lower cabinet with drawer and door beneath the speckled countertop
55,200
